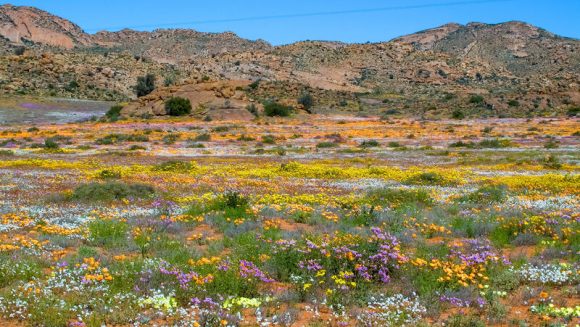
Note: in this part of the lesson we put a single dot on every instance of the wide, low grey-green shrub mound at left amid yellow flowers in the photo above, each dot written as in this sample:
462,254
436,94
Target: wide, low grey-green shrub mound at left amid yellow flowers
110,191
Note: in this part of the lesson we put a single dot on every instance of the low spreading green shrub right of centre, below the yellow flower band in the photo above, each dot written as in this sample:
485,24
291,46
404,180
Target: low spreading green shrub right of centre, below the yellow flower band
399,197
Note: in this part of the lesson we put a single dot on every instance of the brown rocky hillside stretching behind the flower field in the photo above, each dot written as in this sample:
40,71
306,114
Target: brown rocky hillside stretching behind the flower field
511,69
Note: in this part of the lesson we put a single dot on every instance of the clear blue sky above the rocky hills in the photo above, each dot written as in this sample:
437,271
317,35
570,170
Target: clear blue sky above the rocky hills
280,22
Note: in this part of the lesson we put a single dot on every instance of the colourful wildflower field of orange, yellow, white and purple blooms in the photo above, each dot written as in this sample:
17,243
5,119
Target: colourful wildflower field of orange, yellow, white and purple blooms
303,221
